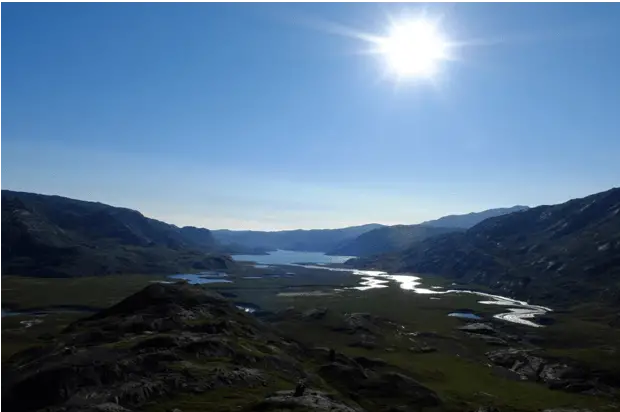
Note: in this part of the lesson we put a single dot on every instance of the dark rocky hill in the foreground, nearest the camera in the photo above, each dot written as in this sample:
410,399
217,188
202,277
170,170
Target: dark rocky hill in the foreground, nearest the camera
176,345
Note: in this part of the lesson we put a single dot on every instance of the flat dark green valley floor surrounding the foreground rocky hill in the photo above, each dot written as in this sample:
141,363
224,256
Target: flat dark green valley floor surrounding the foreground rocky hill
407,331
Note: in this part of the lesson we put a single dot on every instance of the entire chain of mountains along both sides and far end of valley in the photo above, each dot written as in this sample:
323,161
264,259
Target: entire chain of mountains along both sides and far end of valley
557,253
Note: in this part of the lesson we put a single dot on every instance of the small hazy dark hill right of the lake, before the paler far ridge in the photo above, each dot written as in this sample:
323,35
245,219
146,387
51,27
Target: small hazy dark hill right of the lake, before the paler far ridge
388,239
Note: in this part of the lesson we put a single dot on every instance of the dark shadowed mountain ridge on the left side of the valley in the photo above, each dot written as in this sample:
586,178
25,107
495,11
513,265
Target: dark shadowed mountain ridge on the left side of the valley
44,235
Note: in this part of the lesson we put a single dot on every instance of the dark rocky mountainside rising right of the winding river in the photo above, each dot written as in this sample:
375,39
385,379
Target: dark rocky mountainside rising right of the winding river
563,253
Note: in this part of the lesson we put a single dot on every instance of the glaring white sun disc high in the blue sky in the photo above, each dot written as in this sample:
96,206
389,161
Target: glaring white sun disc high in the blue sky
414,49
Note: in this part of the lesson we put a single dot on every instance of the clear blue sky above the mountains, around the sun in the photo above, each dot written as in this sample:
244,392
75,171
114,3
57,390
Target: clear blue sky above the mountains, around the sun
267,116
